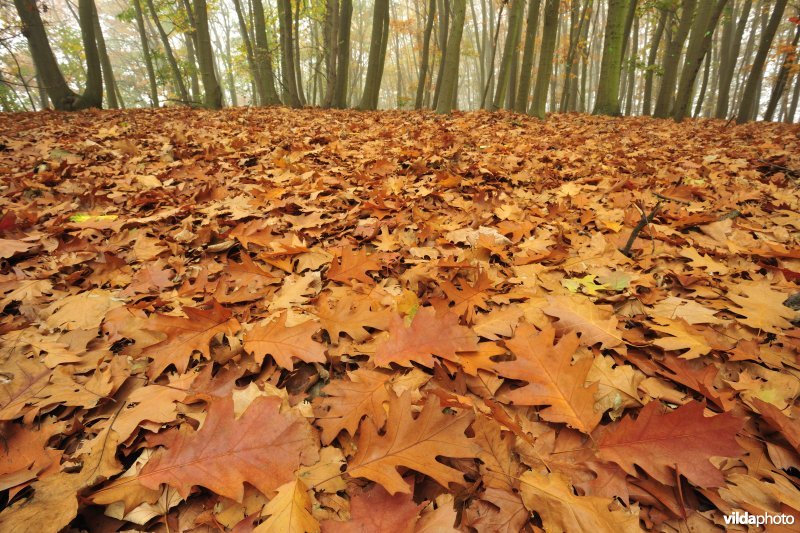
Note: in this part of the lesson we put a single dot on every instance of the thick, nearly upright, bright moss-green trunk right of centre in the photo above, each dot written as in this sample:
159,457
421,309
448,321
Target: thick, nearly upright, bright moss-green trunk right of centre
611,66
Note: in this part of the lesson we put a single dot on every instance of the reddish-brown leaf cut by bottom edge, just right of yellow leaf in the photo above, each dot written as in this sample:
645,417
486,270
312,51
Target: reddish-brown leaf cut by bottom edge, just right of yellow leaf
374,509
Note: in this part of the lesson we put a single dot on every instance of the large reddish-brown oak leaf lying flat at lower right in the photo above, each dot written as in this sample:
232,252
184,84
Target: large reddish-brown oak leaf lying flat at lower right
682,439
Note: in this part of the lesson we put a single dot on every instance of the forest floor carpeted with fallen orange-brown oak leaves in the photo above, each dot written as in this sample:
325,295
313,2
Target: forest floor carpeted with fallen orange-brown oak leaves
293,318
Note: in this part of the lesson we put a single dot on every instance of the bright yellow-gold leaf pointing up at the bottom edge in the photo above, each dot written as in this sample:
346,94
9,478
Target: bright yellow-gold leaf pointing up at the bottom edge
289,511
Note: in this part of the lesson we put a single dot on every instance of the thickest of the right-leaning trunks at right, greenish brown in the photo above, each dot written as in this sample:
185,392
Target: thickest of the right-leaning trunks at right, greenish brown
708,14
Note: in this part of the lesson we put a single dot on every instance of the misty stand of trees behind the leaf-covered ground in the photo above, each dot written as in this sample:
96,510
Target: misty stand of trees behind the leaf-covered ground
668,58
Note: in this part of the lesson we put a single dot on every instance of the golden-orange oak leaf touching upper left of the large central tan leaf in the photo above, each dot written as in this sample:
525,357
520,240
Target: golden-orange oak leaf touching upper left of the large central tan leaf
347,402
